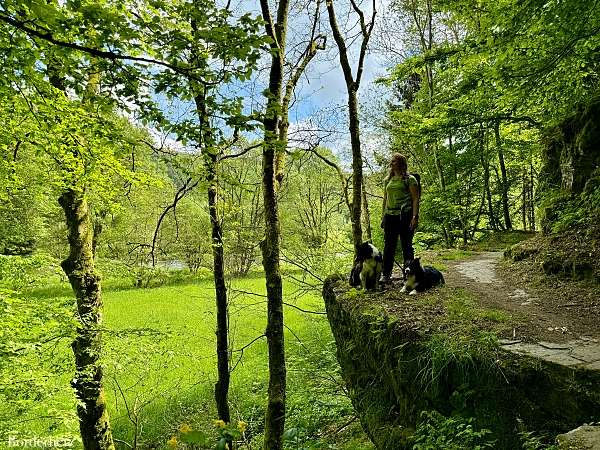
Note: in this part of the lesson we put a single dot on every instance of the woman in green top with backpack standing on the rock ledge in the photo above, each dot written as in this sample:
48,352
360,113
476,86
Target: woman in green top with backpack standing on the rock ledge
400,213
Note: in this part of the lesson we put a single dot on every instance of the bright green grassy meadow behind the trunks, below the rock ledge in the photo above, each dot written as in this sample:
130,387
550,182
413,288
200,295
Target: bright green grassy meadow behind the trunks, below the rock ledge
159,368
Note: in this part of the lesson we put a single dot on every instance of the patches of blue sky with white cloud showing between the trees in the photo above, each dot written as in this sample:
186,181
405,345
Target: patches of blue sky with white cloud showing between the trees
321,96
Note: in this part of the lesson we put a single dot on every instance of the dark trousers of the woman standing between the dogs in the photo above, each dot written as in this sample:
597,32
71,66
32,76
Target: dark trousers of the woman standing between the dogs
394,227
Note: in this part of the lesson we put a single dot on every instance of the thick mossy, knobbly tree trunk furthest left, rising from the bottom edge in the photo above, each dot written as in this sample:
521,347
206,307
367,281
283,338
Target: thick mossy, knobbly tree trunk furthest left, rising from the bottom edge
87,346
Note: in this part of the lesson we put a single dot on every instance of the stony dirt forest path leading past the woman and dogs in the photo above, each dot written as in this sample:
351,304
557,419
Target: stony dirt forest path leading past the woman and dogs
545,325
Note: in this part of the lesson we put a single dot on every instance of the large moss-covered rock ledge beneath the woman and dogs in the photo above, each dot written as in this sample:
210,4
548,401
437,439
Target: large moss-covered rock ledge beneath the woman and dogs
394,370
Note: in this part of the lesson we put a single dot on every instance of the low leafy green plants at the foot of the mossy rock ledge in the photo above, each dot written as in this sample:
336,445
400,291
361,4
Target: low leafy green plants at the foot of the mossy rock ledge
435,431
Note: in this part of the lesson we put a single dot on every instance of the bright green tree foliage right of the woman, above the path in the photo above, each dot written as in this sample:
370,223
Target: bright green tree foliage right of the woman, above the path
490,80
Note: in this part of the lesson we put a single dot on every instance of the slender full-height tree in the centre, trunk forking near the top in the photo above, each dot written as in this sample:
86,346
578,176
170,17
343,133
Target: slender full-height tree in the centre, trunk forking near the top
275,123
